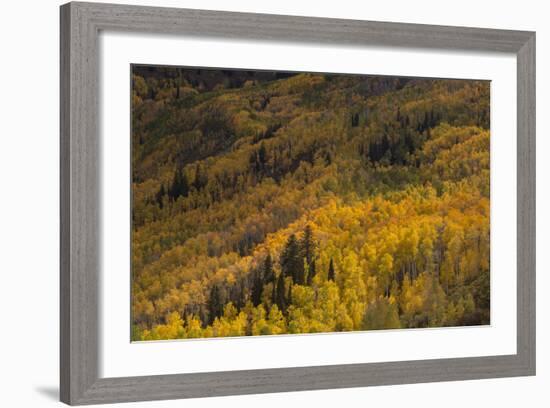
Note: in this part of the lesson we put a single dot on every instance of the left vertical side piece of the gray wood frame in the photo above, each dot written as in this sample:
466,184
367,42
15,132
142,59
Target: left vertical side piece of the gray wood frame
79,180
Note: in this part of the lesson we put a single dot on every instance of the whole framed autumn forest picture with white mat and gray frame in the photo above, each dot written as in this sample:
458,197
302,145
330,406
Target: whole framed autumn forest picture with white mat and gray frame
261,203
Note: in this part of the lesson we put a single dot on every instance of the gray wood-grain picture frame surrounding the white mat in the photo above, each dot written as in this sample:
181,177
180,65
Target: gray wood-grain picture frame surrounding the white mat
80,234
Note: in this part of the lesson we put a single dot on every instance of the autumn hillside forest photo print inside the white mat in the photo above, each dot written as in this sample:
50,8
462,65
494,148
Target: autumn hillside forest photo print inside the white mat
268,202
